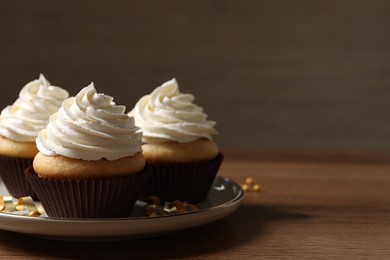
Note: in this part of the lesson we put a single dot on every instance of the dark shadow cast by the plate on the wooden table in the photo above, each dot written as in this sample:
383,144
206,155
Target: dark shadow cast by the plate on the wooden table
248,222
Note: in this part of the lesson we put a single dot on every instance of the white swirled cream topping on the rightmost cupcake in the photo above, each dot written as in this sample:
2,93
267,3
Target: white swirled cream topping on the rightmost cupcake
168,114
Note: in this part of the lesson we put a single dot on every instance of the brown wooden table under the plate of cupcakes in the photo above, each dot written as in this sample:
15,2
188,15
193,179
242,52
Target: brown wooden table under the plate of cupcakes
312,206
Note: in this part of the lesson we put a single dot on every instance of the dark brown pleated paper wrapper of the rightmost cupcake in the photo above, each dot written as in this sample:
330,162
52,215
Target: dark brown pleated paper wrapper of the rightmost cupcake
190,182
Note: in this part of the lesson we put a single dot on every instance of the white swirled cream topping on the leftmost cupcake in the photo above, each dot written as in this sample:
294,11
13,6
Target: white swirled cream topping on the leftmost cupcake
30,113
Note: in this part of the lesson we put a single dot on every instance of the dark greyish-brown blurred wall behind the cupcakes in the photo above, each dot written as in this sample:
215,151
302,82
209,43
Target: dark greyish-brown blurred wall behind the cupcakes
280,75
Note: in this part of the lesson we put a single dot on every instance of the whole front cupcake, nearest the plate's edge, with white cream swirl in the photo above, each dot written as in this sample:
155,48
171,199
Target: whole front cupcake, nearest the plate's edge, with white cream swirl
90,162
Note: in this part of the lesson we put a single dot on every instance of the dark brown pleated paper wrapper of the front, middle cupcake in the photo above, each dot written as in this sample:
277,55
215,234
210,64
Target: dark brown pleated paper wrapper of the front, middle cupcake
88,198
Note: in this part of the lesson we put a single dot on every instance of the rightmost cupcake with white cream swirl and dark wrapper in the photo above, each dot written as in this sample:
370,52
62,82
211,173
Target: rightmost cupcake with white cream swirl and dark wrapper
178,146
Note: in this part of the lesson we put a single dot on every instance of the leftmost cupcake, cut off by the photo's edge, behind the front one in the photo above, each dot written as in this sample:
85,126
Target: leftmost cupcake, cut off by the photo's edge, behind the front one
20,124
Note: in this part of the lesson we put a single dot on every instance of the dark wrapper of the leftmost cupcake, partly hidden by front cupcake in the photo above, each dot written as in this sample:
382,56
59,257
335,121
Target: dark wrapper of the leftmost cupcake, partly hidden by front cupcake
12,174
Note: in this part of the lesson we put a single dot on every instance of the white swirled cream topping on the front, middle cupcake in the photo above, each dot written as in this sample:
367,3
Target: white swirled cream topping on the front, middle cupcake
90,126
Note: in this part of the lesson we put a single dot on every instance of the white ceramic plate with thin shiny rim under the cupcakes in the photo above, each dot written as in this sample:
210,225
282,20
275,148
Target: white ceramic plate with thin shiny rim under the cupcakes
224,198
